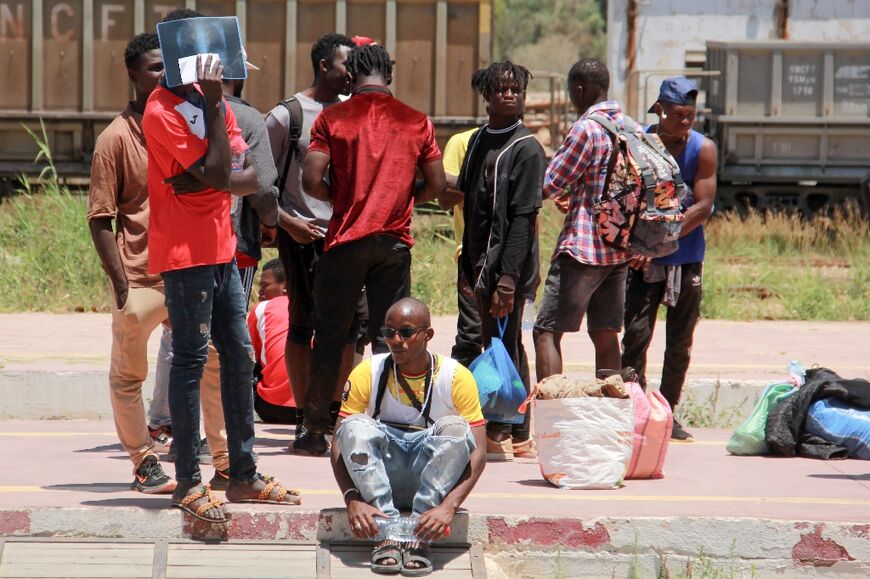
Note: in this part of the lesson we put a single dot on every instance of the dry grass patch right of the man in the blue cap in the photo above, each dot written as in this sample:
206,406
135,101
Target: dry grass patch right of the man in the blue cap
781,268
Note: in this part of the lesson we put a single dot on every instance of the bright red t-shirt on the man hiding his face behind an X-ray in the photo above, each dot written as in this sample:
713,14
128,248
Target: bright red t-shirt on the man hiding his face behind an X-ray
191,229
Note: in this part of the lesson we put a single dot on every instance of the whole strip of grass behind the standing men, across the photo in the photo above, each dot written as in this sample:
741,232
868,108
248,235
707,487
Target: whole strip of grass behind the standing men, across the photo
773,267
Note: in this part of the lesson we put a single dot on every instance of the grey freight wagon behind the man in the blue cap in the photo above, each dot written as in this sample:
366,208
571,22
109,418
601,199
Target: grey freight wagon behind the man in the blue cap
792,120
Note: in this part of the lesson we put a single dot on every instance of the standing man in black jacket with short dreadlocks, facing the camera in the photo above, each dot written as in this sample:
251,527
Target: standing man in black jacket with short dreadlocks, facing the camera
501,179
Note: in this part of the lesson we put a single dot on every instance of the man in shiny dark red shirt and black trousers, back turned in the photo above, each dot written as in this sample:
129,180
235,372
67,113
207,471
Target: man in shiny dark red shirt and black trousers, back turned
371,145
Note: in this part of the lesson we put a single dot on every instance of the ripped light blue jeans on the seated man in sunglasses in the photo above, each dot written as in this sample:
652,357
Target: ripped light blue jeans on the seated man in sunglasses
394,469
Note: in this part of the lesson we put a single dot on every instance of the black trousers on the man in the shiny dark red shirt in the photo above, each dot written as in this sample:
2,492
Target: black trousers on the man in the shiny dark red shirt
380,263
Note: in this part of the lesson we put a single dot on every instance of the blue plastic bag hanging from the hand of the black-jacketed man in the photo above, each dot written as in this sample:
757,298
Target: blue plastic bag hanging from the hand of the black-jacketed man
499,384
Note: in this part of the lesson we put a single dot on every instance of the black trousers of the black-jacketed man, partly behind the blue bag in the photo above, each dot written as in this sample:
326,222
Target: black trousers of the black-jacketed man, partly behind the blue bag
513,343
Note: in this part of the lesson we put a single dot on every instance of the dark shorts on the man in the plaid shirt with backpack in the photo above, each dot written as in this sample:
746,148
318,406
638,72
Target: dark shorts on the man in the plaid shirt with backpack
575,289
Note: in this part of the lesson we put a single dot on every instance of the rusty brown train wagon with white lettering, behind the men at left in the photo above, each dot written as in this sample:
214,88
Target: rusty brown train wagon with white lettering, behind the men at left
62,61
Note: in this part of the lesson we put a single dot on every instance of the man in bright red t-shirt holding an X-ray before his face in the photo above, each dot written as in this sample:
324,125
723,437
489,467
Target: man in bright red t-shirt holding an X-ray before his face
192,136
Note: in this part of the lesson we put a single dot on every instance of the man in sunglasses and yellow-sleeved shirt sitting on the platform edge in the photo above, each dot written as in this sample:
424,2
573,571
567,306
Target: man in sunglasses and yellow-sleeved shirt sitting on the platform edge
410,435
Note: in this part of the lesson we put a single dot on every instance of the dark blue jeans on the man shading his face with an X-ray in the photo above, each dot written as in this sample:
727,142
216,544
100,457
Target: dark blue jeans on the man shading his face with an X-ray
208,301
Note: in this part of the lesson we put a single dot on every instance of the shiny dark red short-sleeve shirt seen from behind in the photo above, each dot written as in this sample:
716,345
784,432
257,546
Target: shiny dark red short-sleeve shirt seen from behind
375,144
